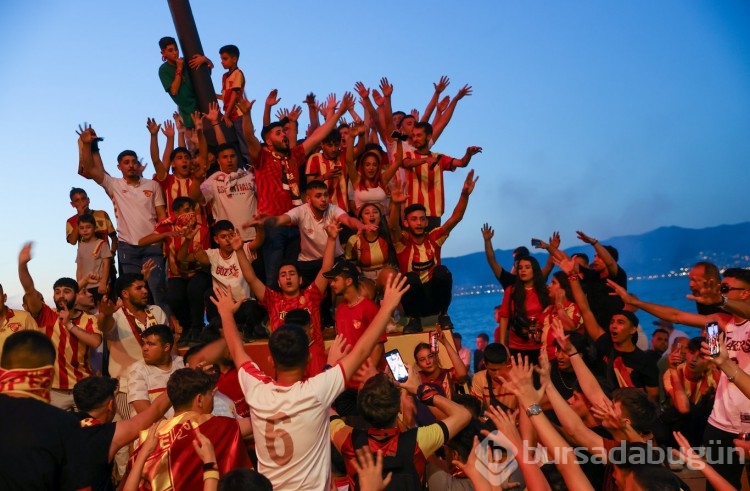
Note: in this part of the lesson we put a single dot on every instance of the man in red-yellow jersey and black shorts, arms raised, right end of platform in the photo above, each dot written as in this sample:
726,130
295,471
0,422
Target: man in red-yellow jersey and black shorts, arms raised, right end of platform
418,254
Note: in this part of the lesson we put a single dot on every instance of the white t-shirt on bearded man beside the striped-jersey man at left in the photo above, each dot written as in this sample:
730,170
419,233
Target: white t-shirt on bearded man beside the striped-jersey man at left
124,348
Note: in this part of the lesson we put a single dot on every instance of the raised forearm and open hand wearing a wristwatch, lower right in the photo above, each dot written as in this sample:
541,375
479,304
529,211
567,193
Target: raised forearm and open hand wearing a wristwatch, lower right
520,381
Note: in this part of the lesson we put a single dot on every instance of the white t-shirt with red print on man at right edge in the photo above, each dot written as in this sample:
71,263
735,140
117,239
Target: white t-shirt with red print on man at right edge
730,401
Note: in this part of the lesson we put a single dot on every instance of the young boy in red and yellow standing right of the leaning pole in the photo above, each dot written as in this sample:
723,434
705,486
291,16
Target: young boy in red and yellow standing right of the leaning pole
232,90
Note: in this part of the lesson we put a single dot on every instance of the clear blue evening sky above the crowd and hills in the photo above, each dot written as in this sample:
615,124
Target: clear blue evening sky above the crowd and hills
611,118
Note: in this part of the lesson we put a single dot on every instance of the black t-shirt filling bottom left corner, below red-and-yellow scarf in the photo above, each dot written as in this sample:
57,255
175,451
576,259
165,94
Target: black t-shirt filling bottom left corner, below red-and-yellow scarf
37,446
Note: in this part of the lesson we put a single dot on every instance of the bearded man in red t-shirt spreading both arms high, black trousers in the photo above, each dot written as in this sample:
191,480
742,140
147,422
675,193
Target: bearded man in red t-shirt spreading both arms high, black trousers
276,167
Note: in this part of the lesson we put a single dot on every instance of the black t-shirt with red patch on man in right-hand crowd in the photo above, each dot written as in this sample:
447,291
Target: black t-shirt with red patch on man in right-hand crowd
635,366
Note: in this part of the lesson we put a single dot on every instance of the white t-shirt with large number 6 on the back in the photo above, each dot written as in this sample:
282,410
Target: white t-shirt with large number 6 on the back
291,426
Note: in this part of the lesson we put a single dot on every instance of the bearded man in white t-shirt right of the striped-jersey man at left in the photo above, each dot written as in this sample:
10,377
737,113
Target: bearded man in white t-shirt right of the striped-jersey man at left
124,329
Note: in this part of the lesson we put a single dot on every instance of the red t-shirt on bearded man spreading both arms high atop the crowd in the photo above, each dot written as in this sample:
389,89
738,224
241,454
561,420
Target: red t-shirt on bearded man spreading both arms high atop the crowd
277,180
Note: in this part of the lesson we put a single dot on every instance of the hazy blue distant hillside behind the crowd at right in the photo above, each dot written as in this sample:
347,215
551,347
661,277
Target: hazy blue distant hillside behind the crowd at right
658,251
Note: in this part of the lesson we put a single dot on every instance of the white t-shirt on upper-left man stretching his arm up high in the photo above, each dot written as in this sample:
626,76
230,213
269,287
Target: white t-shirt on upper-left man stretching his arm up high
135,207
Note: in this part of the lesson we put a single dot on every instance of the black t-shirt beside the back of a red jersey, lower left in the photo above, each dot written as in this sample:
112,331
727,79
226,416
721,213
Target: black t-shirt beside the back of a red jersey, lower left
92,460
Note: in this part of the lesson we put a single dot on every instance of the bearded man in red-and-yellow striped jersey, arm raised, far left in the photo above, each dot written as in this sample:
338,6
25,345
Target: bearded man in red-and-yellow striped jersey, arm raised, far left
72,332
